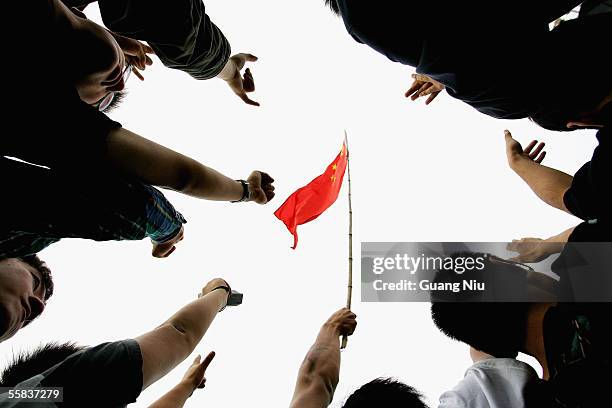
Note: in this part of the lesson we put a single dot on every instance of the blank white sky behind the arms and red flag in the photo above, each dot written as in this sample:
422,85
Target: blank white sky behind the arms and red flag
435,173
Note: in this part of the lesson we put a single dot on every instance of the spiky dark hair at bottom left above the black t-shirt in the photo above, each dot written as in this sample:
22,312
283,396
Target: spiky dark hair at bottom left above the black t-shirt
29,364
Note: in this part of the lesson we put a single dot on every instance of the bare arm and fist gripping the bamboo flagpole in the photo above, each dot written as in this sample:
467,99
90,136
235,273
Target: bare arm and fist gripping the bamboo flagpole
320,370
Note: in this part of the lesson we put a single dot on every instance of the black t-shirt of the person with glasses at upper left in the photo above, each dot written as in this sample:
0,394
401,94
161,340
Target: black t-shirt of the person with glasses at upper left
49,124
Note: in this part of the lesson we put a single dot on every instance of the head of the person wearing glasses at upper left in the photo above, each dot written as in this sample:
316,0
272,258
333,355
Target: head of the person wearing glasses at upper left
99,67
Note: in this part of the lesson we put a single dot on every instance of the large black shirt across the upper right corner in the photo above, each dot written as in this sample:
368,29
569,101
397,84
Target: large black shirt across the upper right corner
498,57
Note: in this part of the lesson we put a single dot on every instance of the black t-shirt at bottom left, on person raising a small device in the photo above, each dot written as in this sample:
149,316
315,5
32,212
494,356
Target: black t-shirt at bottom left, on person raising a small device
108,375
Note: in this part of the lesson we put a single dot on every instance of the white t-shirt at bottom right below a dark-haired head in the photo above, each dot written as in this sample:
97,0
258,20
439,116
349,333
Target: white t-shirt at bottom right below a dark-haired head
491,383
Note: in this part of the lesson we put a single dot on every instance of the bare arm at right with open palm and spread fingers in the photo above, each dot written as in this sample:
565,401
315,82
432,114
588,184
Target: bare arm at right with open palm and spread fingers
547,183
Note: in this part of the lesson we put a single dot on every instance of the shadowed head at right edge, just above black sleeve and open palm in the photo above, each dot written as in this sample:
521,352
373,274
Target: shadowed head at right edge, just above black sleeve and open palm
588,113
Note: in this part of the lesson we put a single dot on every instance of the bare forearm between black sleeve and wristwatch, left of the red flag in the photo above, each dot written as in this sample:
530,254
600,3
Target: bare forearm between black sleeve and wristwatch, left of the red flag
133,155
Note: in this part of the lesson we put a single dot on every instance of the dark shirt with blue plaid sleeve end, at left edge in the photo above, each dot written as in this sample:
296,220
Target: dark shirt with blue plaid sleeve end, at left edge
46,206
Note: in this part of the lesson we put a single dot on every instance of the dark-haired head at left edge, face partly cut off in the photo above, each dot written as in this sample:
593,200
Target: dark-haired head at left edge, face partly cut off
25,287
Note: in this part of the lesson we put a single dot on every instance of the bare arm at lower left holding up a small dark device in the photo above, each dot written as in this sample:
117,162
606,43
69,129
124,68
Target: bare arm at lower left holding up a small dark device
168,345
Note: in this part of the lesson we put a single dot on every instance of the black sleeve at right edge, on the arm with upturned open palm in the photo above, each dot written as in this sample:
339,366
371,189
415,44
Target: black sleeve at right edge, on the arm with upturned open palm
590,195
